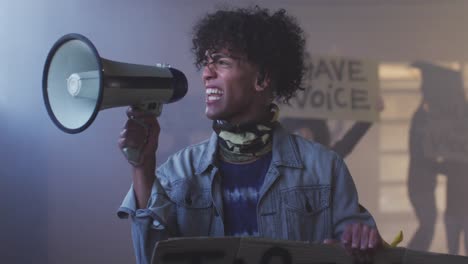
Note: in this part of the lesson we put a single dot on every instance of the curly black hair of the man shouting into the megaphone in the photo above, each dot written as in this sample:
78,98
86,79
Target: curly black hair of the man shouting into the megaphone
273,42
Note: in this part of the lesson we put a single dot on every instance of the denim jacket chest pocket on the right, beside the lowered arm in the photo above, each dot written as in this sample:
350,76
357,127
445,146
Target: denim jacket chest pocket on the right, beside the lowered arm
306,212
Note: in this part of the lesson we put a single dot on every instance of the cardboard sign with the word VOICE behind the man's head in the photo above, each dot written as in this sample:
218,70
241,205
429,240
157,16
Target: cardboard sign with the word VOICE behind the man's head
336,88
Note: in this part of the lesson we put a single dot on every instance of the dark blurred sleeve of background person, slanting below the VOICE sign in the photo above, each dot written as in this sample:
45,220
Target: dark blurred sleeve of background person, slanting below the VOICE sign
346,144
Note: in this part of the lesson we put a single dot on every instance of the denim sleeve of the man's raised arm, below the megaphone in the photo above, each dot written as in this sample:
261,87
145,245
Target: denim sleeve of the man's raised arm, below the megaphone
151,224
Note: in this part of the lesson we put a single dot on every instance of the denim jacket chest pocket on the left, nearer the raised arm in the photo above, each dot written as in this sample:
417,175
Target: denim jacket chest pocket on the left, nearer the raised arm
194,209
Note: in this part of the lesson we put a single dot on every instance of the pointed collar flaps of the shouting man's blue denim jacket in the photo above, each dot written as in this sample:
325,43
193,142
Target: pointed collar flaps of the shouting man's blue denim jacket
285,152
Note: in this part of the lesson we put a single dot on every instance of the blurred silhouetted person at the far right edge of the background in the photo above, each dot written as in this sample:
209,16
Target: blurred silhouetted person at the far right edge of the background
436,135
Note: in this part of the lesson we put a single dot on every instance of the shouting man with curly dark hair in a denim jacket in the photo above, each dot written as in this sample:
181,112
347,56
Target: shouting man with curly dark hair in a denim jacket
251,178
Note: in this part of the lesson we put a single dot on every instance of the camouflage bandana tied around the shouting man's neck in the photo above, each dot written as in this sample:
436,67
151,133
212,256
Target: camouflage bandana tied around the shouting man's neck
240,143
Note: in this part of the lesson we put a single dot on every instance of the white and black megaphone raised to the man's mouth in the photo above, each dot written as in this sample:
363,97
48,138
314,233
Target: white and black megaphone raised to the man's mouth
77,83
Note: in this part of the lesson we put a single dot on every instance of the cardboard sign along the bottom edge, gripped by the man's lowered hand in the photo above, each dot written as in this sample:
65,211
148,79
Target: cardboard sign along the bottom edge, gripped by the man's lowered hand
231,250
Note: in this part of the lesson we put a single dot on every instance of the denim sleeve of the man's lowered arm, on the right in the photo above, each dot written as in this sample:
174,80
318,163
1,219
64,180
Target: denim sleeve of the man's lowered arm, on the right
346,208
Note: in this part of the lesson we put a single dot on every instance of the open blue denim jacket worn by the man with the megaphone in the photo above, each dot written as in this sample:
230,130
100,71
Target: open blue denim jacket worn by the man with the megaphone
308,194
